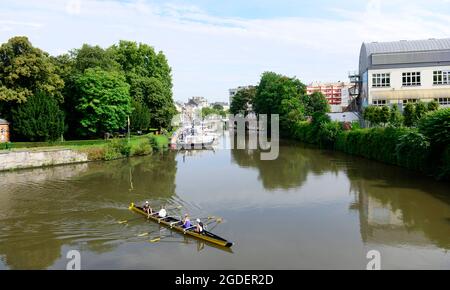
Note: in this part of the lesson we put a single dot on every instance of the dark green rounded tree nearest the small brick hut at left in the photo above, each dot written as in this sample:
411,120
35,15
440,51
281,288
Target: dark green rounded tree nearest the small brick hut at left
39,119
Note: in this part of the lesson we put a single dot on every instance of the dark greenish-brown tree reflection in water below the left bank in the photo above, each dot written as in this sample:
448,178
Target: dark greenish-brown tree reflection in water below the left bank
77,208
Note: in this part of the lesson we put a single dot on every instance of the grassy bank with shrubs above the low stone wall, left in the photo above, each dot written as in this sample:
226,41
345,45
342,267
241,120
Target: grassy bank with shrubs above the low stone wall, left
101,149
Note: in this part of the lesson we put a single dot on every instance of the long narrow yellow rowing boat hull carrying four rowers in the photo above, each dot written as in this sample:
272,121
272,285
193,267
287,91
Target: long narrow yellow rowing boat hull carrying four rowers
205,236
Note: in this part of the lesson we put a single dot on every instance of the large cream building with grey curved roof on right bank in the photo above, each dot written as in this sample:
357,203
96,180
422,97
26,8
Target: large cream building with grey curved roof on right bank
404,71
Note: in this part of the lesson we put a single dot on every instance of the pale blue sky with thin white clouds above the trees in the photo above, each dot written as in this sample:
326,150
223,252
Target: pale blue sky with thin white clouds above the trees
215,45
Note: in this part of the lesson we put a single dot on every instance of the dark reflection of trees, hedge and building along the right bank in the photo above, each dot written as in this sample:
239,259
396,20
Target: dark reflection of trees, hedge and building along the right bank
395,205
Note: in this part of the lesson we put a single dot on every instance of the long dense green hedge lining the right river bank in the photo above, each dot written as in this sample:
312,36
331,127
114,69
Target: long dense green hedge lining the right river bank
425,148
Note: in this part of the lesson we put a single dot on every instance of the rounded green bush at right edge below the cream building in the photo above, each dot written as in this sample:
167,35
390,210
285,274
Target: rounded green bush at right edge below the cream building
436,126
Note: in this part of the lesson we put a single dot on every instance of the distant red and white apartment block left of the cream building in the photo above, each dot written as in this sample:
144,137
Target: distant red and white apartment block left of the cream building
337,94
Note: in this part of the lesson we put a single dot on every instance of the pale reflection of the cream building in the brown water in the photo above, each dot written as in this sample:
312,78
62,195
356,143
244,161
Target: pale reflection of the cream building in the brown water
382,224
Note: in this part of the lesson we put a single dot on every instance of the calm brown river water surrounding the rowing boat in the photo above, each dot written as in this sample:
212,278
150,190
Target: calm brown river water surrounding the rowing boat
310,209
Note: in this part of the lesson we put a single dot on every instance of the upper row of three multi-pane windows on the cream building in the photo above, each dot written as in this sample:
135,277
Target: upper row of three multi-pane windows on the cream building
383,80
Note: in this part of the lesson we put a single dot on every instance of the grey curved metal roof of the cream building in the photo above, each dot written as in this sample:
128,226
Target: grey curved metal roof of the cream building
404,53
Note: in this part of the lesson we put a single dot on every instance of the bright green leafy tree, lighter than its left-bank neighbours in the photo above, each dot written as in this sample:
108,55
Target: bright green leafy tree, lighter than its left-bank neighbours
104,101
